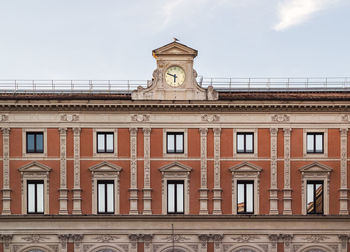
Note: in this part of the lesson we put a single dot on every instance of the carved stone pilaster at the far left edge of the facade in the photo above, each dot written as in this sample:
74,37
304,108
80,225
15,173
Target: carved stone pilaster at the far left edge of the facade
6,190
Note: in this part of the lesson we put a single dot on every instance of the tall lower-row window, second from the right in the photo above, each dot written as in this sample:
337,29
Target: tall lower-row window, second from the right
245,197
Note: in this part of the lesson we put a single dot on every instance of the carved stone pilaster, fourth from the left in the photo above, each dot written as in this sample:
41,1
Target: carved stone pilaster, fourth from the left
133,170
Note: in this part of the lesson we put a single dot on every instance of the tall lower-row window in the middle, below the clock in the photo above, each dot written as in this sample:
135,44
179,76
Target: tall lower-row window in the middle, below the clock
175,197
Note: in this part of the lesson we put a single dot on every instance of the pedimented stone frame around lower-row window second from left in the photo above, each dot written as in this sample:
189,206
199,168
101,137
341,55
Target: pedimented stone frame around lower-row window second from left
105,171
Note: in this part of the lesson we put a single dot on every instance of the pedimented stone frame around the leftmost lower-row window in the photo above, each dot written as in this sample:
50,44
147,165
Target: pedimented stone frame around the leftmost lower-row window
35,171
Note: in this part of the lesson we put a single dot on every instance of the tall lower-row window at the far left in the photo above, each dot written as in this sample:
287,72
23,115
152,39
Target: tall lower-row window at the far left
35,196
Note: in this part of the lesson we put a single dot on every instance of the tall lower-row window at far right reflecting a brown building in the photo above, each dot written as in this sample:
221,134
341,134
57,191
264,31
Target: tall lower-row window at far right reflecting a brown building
314,197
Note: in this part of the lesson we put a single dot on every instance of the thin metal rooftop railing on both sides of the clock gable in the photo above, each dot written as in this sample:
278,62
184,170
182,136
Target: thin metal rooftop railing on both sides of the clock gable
220,84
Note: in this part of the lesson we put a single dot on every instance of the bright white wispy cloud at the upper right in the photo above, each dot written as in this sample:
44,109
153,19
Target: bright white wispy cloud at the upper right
295,12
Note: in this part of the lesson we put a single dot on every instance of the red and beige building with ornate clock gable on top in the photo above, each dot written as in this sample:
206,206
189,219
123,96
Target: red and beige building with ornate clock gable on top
242,166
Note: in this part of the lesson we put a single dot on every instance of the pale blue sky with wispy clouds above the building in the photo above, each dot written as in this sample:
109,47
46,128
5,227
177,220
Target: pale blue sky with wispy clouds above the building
114,39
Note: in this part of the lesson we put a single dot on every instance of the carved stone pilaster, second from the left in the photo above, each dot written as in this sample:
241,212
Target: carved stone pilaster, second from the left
63,172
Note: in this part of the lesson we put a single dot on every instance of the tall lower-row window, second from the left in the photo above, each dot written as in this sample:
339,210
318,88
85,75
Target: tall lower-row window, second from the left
105,196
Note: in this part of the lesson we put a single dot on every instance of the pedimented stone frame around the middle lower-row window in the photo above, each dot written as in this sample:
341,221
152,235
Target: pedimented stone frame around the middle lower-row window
175,171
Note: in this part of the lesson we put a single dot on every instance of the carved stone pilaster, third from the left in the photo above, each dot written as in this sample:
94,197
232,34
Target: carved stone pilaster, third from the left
76,188
